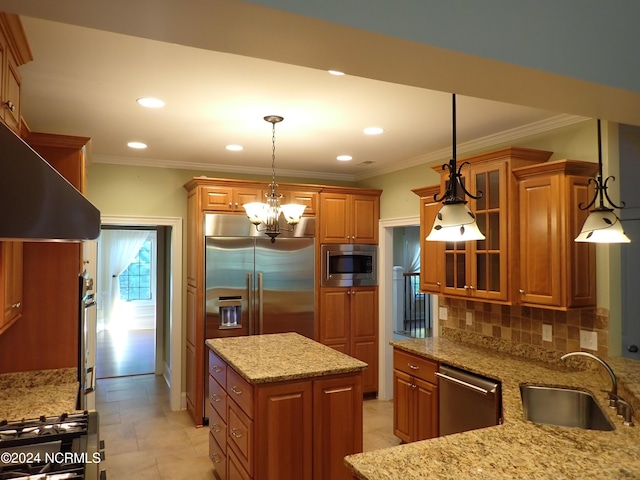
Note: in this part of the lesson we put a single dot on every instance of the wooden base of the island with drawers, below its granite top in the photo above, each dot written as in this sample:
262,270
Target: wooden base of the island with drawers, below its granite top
285,430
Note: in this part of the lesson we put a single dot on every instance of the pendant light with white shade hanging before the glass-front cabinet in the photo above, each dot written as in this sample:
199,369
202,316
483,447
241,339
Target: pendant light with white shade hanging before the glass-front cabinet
455,222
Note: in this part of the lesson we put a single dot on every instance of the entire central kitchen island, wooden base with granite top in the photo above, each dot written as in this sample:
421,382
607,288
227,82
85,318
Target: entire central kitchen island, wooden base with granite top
282,406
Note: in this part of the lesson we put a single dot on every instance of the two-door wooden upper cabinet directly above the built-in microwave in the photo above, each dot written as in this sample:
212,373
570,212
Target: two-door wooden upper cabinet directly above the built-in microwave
349,215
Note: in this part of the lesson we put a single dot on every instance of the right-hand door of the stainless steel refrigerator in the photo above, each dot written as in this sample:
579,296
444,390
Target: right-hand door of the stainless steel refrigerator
285,276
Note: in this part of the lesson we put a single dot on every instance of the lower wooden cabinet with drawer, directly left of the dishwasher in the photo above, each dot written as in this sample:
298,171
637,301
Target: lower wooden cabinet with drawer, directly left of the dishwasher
415,397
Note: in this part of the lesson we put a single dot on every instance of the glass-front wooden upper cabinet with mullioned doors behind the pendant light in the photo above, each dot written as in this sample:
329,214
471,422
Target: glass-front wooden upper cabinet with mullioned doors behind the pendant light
479,269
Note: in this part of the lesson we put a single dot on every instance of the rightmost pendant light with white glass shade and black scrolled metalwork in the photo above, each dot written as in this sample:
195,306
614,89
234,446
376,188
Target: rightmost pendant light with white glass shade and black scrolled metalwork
602,225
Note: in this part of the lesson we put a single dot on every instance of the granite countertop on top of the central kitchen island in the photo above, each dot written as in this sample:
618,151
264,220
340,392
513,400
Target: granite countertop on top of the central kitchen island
282,356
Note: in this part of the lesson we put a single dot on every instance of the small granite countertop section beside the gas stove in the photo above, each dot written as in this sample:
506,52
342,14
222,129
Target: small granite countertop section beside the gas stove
31,394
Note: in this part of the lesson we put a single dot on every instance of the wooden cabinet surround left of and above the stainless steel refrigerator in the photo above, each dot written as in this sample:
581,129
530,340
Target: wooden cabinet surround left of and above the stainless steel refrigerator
207,195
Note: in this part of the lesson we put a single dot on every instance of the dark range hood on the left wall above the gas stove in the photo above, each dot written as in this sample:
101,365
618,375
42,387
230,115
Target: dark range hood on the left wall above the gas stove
36,202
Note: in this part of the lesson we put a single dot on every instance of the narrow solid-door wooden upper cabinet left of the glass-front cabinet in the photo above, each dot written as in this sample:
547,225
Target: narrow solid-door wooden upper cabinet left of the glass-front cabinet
431,253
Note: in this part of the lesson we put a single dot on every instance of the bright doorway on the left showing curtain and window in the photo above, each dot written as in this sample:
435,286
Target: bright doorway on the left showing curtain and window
129,266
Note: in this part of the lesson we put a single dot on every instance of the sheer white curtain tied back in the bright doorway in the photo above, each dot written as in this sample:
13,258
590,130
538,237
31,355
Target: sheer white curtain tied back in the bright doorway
118,248
